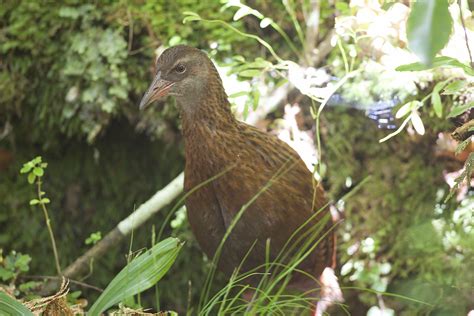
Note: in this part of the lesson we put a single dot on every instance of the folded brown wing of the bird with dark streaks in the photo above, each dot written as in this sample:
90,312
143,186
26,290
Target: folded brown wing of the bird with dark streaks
276,189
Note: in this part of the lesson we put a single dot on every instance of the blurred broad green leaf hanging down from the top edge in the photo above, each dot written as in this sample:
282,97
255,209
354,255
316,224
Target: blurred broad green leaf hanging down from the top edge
428,28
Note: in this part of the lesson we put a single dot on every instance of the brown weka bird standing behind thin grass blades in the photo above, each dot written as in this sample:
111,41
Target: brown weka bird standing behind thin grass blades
215,142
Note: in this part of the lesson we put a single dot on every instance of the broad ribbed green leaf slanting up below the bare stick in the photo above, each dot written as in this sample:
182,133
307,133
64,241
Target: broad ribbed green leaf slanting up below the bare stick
140,274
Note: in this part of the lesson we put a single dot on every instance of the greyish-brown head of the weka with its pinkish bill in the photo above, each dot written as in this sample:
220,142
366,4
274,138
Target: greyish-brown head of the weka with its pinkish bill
181,71
